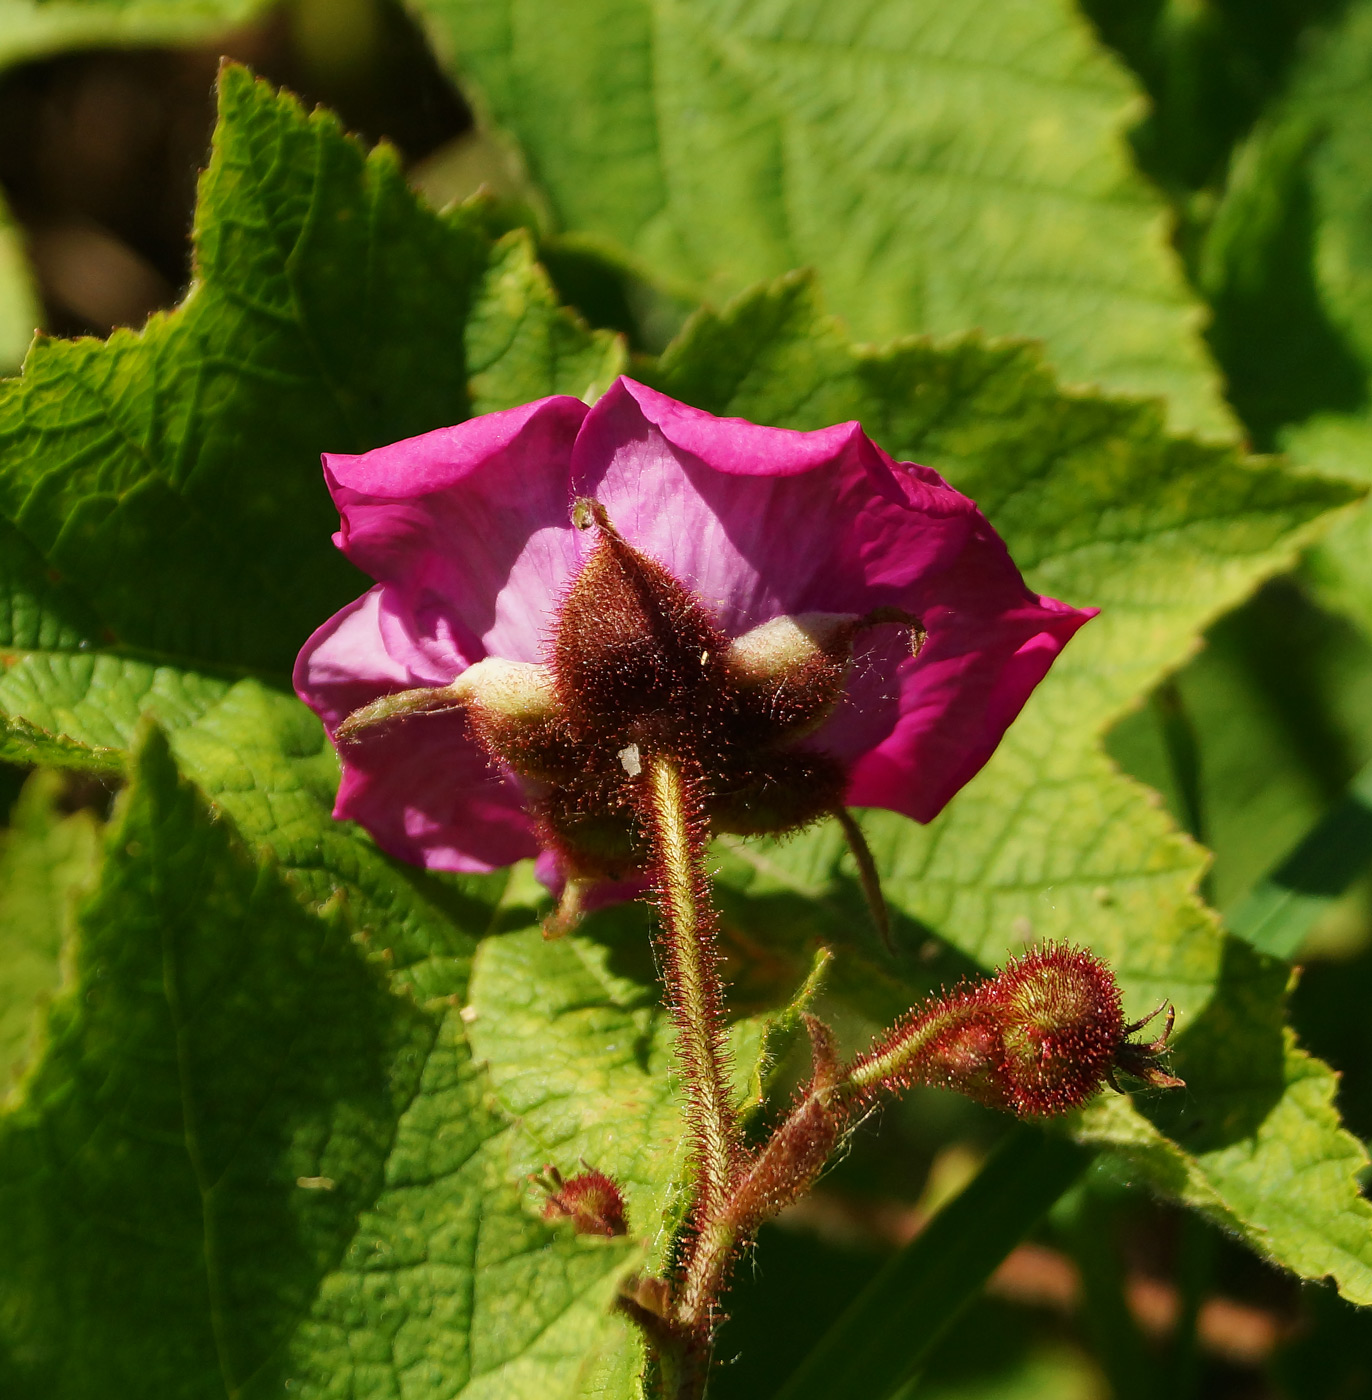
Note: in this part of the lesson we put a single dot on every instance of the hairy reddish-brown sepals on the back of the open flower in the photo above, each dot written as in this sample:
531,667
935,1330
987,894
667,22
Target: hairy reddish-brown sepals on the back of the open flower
640,670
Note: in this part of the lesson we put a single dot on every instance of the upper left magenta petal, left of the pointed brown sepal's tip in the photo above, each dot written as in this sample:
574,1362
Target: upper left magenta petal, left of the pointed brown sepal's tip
471,526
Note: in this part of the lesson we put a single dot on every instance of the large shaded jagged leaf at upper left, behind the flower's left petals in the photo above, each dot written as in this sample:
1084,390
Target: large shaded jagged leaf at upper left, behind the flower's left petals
167,482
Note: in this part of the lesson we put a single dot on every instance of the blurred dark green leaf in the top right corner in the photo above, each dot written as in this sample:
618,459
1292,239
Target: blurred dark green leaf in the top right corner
1289,269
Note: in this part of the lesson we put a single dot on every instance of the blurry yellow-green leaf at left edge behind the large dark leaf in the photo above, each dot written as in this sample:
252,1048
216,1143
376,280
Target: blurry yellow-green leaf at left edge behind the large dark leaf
47,859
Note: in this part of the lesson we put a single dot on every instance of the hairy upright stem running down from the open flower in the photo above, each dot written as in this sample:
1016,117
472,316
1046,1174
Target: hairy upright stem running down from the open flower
696,999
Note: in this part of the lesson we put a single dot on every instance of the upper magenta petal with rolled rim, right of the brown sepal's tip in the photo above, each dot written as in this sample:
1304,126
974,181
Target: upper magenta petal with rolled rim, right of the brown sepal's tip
758,521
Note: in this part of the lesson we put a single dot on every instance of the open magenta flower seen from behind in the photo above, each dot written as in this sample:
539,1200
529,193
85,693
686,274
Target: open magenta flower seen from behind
471,538
